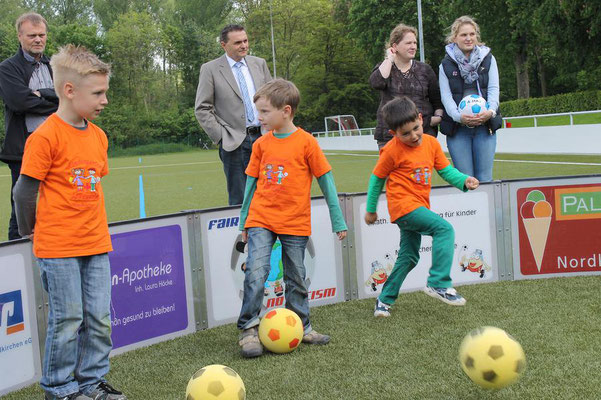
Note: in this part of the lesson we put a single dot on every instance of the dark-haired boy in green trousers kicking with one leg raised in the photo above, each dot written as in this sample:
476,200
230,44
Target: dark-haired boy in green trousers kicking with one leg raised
406,164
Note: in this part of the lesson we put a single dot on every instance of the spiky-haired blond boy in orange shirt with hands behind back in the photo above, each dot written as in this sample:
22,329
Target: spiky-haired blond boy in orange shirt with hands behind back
70,231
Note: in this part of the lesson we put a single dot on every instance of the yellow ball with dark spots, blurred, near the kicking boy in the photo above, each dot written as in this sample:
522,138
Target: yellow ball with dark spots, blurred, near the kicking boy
491,357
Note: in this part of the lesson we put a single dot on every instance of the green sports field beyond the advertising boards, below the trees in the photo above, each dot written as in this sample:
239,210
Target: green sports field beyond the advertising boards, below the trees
195,179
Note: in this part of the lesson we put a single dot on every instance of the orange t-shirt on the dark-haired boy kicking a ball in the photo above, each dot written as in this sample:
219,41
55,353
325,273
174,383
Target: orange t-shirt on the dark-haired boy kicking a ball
409,172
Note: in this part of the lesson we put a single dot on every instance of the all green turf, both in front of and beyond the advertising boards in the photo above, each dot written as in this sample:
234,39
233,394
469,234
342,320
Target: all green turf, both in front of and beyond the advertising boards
412,355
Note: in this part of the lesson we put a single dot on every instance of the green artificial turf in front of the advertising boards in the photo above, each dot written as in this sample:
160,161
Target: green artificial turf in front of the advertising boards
411,355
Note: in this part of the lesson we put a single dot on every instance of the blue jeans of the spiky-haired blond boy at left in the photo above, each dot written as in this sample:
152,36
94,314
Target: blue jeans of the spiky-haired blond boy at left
78,339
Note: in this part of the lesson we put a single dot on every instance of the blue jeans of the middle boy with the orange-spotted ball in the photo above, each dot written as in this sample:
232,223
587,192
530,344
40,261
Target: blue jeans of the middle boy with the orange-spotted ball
260,244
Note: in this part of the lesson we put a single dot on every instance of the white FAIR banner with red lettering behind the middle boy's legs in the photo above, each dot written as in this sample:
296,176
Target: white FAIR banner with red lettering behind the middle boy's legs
224,263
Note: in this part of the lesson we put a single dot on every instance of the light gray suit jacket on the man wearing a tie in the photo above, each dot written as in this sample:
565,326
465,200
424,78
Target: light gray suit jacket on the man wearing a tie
219,107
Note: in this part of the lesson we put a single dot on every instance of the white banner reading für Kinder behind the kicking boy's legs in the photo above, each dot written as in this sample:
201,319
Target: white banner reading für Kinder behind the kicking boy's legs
475,258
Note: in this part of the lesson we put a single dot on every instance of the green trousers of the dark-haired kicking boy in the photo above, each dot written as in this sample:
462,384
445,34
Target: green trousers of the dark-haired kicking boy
413,225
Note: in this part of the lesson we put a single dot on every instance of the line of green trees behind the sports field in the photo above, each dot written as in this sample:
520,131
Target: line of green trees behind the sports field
326,47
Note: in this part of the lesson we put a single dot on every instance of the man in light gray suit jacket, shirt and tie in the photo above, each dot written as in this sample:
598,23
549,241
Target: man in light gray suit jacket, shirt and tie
224,106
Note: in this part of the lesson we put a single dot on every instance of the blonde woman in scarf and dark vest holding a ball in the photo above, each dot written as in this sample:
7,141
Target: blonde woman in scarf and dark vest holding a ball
469,68
